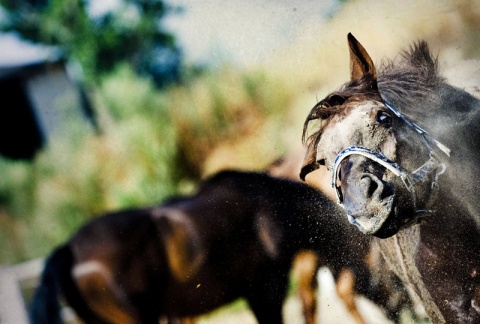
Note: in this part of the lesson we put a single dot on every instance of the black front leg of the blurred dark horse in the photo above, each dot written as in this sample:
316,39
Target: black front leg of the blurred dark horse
267,296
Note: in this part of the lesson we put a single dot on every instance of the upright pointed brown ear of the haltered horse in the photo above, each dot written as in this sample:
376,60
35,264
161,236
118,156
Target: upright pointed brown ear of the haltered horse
361,65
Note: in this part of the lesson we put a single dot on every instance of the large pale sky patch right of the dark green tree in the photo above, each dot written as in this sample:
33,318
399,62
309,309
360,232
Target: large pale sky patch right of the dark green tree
241,31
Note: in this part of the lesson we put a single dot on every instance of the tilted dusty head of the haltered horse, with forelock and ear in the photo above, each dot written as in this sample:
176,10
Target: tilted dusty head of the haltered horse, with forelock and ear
383,166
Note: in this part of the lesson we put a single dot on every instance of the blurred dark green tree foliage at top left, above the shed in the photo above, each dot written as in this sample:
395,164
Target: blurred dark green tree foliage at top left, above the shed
130,32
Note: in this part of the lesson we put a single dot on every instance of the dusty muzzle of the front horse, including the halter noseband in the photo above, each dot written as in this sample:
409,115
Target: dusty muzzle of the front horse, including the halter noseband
371,204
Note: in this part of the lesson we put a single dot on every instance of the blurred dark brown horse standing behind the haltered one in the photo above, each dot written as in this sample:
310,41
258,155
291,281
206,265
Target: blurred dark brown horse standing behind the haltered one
236,237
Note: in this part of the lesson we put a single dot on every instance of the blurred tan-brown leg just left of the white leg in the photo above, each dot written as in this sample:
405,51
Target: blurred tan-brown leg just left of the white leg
305,269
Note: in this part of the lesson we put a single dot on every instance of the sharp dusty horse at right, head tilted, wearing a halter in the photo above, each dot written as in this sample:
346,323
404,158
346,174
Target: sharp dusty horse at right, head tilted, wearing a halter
401,146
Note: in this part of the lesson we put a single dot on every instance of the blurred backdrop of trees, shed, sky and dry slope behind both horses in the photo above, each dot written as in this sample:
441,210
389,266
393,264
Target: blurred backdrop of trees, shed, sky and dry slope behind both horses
109,104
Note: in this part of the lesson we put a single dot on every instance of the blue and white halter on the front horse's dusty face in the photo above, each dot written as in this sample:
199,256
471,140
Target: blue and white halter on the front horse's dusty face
408,179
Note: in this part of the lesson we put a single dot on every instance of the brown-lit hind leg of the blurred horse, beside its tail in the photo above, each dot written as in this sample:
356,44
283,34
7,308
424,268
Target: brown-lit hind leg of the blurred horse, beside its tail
101,293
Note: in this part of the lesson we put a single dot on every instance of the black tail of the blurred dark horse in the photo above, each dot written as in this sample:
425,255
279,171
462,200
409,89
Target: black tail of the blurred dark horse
56,279
